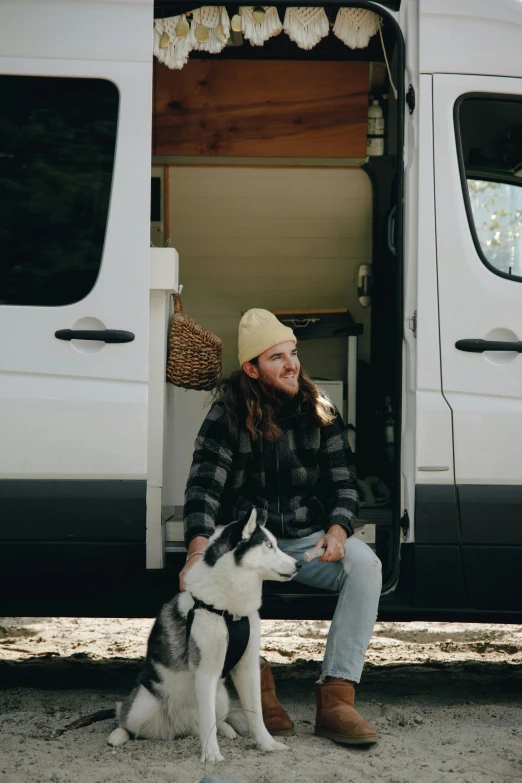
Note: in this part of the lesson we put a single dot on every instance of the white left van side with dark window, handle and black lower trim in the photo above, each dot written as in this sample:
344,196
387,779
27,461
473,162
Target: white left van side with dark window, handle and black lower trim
74,283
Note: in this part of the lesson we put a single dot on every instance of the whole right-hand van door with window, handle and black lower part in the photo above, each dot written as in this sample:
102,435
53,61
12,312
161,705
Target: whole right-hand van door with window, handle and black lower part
478,193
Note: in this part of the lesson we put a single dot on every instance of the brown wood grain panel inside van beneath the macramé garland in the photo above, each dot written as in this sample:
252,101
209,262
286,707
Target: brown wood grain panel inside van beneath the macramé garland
264,109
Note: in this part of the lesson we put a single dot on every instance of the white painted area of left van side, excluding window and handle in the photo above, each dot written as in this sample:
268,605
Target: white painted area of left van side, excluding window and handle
76,409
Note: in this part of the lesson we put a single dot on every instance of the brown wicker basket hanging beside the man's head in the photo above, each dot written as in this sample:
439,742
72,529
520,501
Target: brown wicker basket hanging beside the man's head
194,356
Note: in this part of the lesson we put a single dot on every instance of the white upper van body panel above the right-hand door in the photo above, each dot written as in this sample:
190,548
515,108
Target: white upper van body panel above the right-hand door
471,36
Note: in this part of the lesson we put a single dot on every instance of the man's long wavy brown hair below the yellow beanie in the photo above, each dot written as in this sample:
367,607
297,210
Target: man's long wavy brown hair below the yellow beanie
248,406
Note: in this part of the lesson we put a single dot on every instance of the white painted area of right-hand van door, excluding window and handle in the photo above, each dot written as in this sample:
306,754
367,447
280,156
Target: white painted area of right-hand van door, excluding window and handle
485,393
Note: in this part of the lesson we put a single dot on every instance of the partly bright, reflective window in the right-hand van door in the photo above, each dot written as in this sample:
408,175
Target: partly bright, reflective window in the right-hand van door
491,160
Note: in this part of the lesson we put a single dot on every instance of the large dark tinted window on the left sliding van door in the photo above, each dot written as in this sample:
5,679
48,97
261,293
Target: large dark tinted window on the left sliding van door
57,144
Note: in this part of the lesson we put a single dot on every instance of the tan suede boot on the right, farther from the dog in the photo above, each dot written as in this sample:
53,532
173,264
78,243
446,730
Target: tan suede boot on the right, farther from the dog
336,716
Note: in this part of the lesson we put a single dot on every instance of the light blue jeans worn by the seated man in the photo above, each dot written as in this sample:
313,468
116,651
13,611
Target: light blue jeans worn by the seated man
358,580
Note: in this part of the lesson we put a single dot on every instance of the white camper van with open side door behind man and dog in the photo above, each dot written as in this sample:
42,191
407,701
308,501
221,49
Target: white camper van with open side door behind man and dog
400,271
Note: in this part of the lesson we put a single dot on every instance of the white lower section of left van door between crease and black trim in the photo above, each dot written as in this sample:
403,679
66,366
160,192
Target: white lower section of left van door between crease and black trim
59,427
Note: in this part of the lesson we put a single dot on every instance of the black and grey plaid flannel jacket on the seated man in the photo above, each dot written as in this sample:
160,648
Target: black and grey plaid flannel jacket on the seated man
316,485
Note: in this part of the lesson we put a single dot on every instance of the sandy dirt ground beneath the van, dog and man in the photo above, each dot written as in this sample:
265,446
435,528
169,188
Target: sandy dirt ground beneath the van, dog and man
445,698
